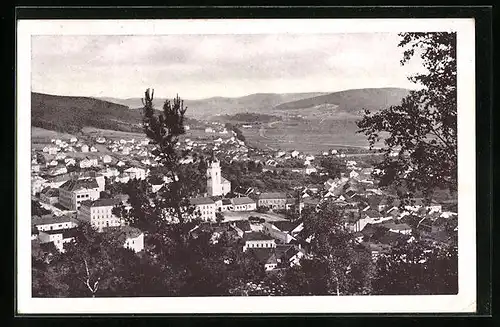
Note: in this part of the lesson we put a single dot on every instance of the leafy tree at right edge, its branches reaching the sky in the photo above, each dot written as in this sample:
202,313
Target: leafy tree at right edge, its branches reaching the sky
422,130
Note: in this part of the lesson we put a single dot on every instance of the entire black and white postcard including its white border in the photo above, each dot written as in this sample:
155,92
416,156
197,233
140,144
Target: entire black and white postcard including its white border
246,166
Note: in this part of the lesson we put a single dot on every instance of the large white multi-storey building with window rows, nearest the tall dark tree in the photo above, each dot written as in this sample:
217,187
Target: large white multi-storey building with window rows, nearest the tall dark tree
99,213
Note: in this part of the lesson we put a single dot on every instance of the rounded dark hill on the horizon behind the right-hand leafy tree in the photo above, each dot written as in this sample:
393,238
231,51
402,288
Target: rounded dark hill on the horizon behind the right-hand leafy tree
350,101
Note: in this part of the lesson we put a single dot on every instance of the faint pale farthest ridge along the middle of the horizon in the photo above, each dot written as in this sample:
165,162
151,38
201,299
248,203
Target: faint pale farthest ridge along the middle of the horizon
205,108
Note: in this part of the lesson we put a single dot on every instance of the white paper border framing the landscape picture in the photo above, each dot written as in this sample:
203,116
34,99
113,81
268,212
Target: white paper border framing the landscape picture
464,302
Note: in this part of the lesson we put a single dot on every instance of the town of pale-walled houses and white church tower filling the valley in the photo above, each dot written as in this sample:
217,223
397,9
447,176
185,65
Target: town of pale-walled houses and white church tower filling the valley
257,195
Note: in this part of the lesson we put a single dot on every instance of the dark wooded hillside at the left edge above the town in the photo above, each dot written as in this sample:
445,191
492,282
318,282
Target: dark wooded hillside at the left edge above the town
70,114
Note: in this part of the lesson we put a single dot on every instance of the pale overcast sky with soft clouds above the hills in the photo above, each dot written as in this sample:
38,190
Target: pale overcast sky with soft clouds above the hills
200,66
